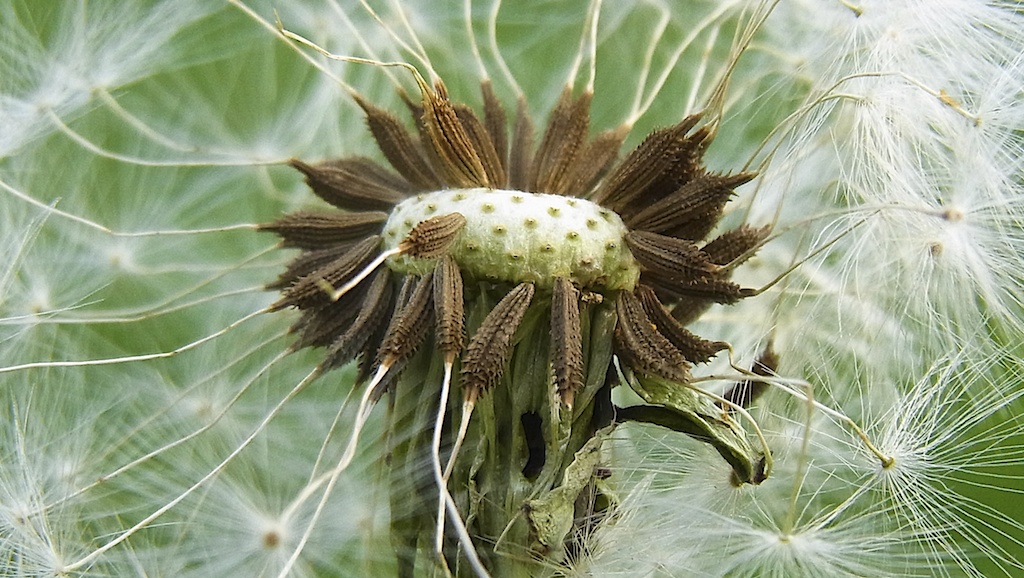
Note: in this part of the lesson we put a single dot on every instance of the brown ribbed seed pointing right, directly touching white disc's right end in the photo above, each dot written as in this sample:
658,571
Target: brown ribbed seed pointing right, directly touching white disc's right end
672,259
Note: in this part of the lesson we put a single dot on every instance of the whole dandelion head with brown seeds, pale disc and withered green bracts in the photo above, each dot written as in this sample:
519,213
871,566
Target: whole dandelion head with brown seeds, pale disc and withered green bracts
516,273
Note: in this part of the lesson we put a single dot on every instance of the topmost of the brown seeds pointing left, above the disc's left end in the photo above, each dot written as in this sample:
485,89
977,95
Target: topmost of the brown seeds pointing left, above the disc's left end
356,185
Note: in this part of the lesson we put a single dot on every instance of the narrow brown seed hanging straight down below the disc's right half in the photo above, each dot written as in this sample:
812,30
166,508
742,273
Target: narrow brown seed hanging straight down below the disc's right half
567,340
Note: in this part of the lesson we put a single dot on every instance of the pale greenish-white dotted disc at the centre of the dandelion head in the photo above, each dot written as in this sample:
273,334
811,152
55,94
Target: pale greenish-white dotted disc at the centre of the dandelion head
517,237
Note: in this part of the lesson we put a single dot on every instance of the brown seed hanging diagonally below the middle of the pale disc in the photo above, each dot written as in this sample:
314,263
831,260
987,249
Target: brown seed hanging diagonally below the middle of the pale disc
490,350
